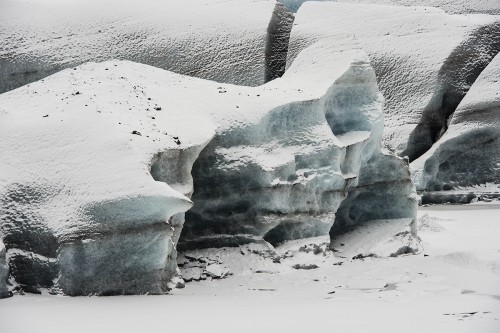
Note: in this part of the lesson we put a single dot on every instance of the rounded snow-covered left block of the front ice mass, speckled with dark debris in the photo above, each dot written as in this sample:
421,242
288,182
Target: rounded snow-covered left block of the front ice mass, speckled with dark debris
80,210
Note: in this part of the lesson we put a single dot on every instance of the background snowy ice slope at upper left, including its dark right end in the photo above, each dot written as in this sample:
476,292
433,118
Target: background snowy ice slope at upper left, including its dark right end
236,41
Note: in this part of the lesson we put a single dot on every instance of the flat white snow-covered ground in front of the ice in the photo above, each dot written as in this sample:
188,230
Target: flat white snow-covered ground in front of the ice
452,285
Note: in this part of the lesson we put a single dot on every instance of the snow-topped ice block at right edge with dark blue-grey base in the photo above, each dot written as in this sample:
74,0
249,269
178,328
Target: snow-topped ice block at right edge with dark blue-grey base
467,157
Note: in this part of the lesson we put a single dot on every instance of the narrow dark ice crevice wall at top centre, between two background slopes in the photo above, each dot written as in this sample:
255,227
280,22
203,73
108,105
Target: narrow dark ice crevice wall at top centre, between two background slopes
278,36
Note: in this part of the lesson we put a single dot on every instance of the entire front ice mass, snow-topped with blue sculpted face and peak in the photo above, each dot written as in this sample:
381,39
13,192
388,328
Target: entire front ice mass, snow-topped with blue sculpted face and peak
80,208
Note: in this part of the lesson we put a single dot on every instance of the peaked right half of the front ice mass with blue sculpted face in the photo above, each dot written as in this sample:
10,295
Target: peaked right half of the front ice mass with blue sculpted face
293,151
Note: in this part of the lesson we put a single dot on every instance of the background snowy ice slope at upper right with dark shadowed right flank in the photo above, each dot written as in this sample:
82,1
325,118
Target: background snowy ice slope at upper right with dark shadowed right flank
425,60
